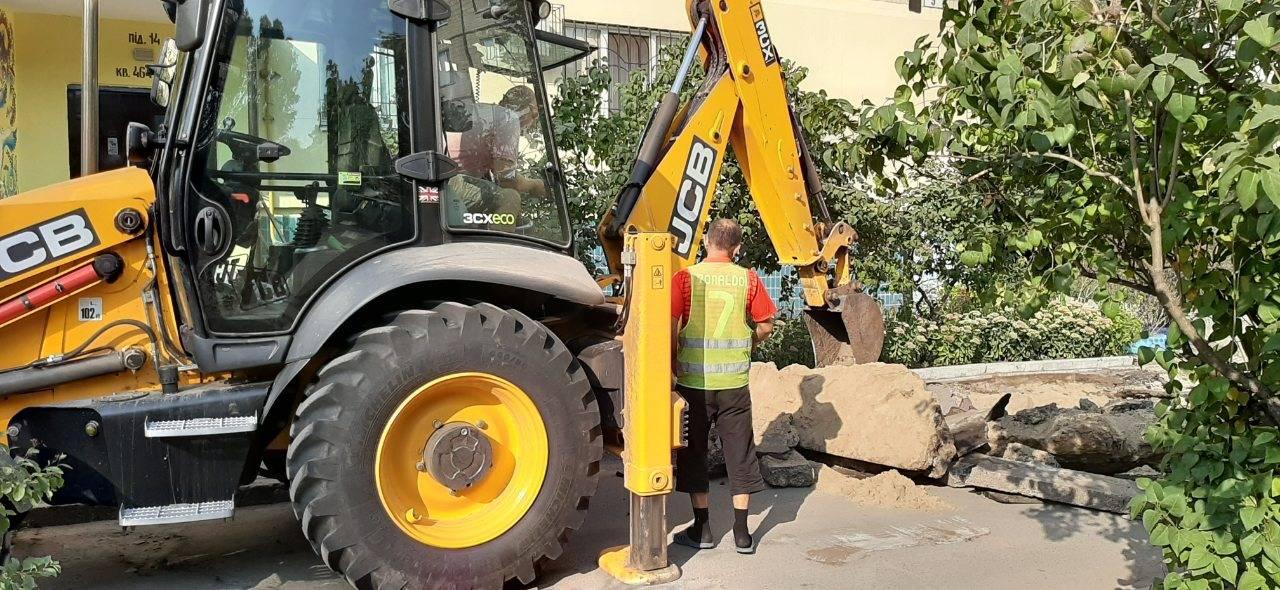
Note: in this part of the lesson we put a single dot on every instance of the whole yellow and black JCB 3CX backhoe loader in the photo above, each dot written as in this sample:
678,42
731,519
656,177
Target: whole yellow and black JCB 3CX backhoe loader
345,260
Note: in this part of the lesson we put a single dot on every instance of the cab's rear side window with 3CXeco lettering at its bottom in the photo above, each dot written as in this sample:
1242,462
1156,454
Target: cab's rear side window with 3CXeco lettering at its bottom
496,125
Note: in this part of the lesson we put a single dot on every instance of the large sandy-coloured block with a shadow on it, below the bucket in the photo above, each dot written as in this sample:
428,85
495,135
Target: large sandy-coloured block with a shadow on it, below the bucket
877,414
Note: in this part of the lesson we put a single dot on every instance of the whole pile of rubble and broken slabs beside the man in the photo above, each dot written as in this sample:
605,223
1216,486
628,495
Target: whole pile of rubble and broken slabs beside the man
991,433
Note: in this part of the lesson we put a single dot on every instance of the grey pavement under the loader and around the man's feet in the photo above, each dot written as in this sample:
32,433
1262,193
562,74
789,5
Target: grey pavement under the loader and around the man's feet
807,541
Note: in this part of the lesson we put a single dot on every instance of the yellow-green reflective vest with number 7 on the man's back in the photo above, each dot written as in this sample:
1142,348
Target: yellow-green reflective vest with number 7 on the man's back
716,344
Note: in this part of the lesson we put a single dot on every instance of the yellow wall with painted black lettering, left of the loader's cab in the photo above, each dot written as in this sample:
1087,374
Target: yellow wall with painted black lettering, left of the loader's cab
48,61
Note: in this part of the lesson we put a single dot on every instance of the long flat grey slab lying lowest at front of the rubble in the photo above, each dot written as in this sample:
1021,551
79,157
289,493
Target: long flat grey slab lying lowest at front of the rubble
1067,487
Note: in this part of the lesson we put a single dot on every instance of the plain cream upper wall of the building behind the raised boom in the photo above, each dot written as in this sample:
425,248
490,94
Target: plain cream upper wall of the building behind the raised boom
848,45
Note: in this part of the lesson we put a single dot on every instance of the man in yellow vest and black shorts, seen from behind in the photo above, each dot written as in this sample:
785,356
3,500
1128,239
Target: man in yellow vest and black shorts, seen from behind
721,312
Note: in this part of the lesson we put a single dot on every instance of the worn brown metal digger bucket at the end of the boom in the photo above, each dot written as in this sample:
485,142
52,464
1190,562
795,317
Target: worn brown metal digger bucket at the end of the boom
851,332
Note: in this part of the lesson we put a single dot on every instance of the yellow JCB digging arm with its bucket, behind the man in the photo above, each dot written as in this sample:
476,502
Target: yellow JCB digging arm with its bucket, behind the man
743,106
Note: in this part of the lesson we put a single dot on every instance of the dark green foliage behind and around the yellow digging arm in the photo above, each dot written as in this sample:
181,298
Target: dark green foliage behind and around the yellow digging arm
907,236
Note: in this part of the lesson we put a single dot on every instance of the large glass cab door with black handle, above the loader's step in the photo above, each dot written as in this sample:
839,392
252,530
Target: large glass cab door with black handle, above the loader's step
291,173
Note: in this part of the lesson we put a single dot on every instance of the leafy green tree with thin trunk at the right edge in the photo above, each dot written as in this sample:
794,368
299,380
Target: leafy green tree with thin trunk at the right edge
1133,143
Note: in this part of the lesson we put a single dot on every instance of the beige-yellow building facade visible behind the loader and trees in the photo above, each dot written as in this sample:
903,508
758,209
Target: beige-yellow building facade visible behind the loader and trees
849,48
